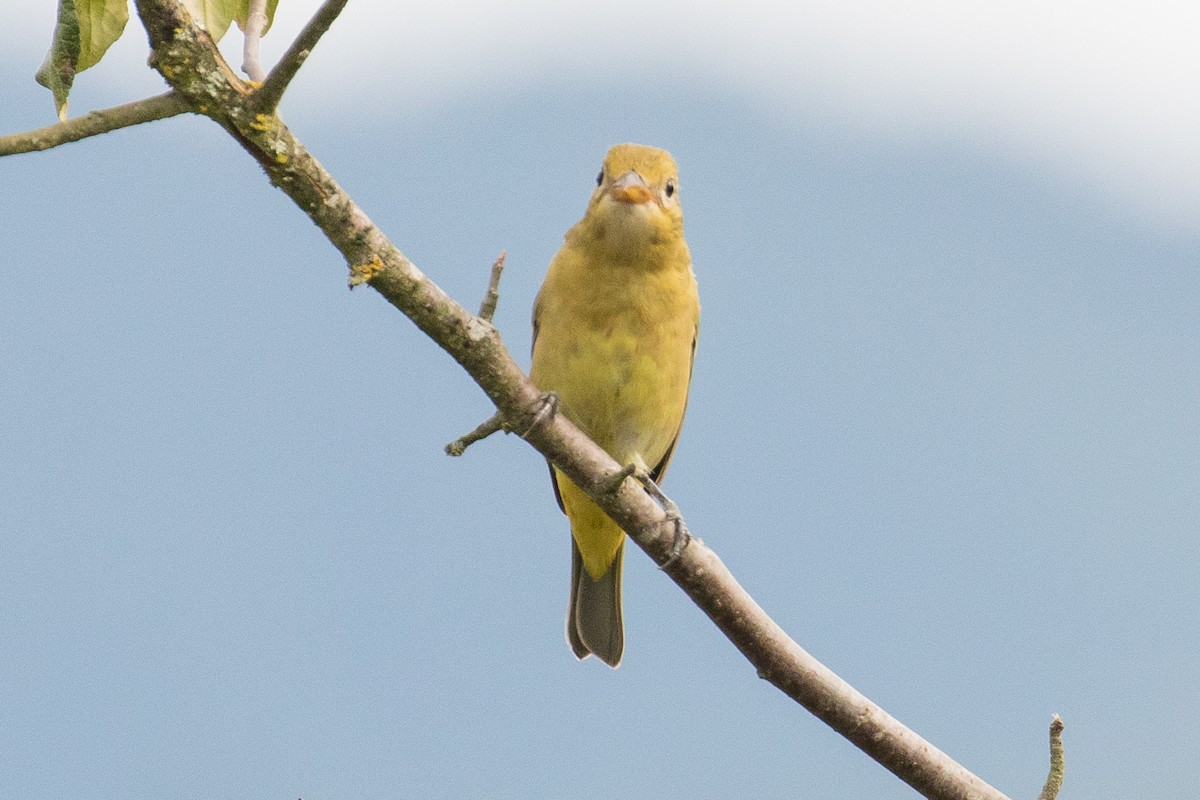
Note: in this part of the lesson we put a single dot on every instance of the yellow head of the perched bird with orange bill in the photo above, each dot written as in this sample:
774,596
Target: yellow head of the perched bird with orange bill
637,201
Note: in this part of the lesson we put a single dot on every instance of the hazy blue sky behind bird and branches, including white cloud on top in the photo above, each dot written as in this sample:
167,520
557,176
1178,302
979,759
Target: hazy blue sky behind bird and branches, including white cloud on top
944,424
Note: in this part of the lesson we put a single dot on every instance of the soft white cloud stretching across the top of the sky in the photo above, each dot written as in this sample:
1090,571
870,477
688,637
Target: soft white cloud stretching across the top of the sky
1107,91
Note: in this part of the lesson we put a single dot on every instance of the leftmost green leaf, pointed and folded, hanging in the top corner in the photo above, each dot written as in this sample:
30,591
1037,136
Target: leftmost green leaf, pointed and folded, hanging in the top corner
85,32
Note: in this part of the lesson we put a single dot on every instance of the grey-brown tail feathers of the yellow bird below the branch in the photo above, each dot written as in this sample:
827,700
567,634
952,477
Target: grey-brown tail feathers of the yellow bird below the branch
593,613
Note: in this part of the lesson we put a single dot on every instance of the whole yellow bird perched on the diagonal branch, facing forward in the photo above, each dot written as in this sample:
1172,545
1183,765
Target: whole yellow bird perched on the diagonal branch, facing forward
614,336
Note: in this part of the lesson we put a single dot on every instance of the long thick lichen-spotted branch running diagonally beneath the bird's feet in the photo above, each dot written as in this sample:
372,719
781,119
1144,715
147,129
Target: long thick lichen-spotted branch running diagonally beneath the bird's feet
189,61
